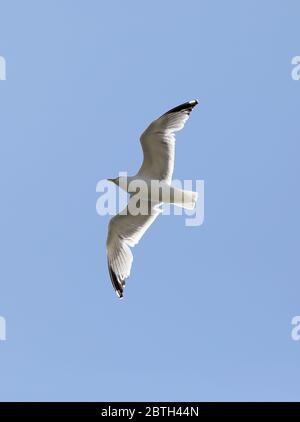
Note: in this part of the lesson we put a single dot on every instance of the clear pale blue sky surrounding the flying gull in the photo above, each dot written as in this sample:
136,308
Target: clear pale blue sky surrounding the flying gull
207,316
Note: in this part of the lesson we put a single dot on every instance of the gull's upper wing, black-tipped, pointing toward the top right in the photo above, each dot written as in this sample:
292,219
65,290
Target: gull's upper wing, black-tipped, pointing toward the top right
158,142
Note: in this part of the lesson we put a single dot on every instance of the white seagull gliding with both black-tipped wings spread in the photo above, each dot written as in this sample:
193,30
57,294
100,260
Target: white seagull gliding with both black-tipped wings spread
126,229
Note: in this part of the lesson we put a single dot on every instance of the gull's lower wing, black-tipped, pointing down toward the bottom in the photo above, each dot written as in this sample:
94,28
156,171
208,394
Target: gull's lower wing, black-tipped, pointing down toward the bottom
124,231
